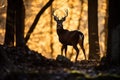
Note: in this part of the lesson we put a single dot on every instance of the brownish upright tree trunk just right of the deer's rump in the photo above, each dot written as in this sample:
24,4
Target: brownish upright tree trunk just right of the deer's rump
93,29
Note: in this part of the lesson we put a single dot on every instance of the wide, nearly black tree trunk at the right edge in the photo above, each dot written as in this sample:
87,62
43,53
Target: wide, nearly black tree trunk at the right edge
113,49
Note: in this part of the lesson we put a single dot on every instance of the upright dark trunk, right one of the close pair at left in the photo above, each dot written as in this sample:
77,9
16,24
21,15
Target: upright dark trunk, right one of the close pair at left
20,16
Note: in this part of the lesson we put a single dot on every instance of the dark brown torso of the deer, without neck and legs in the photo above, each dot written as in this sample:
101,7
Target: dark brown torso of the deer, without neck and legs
66,39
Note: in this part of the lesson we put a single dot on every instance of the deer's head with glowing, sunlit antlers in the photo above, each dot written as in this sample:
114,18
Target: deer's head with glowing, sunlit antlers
60,21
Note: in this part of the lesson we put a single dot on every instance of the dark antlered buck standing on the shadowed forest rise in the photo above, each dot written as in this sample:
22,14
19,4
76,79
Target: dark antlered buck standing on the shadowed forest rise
67,37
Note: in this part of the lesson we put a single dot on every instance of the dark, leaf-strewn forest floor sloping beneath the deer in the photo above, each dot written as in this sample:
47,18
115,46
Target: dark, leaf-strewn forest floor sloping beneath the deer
26,64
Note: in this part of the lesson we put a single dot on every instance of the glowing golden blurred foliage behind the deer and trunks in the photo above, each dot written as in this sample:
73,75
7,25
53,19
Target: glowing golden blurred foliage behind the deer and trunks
45,42
